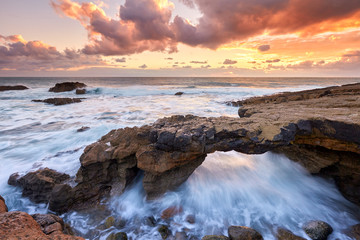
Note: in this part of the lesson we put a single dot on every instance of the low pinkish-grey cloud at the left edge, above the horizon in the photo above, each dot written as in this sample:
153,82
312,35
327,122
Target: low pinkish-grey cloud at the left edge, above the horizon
19,54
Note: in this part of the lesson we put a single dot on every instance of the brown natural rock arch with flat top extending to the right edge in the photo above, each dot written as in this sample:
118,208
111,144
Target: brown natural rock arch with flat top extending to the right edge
323,136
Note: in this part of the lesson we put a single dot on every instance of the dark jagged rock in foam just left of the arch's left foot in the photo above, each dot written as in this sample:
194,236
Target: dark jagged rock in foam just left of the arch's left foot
38,185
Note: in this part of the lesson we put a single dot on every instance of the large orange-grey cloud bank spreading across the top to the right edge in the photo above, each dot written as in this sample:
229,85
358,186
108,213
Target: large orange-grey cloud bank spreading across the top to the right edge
147,25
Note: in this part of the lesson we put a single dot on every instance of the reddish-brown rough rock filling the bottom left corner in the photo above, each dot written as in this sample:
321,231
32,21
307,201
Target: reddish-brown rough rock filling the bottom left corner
20,225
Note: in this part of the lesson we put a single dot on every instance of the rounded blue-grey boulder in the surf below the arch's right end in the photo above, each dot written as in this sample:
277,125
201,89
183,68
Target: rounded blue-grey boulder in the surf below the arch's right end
317,230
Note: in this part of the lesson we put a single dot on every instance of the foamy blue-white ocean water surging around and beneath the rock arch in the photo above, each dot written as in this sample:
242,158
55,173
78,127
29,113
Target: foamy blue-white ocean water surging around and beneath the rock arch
259,191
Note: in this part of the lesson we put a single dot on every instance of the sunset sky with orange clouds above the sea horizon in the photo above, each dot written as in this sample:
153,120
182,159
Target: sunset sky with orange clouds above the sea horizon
170,38
